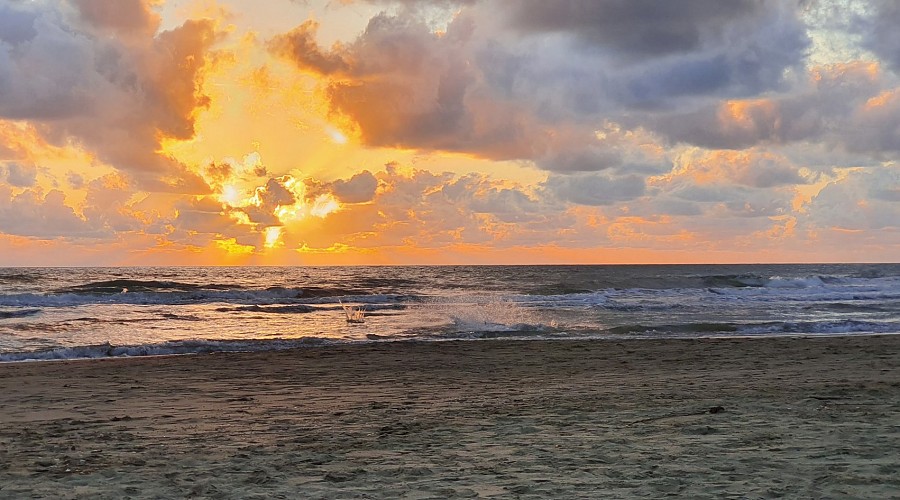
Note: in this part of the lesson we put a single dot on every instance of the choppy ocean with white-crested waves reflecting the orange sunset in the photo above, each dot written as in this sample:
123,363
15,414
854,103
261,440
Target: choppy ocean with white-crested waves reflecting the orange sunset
66,313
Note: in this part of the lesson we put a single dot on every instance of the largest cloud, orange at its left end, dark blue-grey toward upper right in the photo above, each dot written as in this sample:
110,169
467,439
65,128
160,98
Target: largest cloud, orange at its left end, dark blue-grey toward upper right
534,80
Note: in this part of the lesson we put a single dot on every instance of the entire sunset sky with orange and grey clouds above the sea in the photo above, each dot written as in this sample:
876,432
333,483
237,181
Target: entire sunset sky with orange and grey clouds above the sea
344,132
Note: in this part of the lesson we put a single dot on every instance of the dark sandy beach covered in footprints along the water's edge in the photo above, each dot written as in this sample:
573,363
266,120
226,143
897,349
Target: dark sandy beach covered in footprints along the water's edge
797,417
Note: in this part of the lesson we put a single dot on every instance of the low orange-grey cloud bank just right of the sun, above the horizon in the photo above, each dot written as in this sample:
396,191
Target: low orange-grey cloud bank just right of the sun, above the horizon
426,210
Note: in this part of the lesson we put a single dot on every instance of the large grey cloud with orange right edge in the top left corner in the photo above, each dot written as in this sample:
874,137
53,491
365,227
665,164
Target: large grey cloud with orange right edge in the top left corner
118,96
